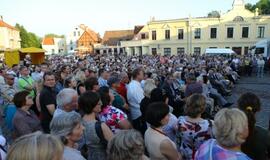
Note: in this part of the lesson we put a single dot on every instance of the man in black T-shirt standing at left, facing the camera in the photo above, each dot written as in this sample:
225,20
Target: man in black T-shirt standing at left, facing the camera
47,100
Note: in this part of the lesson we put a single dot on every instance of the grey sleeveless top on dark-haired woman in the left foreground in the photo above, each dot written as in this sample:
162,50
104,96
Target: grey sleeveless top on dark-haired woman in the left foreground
95,147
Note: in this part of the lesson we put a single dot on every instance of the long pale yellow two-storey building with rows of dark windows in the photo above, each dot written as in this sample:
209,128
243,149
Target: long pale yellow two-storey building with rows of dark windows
238,29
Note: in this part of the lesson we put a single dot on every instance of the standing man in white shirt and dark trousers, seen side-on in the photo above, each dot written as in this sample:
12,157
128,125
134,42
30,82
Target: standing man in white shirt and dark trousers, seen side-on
135,95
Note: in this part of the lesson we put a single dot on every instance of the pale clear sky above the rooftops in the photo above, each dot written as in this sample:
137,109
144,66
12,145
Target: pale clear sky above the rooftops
61,16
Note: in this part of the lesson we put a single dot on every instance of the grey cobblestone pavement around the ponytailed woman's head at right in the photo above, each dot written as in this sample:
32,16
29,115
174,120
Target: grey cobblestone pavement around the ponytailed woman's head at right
259,86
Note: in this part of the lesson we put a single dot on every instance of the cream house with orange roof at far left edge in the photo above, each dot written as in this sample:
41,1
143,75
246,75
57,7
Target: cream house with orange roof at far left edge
9,36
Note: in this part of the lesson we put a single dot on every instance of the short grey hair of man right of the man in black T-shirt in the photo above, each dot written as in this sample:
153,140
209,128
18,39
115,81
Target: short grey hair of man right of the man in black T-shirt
64,97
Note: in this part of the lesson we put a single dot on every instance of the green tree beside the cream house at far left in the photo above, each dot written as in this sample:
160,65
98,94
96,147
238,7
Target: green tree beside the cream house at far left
28,39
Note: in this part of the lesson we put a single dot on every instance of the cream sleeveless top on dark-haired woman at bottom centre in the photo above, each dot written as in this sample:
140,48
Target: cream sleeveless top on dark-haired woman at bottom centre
153,140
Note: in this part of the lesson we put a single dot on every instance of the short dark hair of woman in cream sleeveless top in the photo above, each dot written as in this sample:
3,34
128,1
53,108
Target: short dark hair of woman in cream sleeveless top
155,112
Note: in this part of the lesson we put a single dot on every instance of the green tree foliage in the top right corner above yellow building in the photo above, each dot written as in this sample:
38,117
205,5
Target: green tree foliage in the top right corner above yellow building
262,5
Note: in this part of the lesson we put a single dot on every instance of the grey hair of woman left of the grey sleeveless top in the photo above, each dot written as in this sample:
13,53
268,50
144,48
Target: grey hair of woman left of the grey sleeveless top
63,124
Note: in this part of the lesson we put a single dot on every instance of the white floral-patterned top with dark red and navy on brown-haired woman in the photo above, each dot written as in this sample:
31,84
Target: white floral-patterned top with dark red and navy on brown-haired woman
191,135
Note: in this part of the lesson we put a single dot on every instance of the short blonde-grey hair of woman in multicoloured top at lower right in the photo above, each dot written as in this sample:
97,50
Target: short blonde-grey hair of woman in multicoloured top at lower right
228,126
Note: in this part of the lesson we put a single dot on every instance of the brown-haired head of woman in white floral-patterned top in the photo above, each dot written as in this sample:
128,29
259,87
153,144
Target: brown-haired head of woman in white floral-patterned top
195,105
